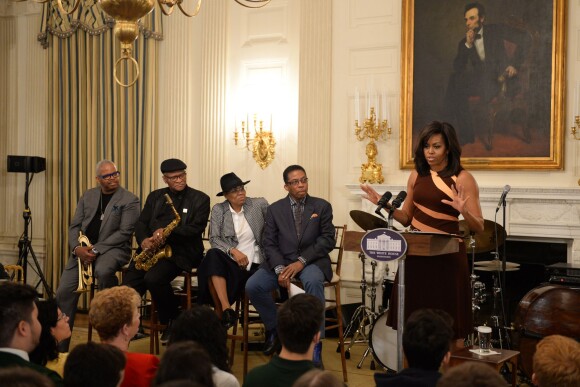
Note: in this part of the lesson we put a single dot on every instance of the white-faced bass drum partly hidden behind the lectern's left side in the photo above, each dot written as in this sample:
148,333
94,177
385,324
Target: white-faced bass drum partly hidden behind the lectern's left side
383,342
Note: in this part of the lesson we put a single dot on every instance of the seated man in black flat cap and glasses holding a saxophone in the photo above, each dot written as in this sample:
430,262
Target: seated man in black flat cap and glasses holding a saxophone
185,240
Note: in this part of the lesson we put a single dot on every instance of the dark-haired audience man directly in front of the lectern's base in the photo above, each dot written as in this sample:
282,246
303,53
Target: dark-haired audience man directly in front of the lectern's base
427,338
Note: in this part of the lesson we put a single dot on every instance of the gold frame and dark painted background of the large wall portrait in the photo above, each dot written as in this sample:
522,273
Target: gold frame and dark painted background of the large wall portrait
516,133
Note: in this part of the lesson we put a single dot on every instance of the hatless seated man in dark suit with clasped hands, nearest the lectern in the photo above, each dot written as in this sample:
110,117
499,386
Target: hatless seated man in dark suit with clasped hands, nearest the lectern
298,237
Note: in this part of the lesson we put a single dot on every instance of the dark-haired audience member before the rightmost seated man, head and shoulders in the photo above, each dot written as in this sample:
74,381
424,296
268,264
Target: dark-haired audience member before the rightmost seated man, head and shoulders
298,324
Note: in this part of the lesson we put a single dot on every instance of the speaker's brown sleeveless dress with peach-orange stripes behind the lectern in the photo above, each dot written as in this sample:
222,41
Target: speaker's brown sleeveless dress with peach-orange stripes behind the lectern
442,281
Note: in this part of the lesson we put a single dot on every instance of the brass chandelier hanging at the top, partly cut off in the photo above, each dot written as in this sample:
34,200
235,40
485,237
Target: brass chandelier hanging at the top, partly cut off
128,12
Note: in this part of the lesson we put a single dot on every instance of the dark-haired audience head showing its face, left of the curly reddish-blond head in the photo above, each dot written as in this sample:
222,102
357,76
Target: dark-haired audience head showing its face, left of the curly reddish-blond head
55,329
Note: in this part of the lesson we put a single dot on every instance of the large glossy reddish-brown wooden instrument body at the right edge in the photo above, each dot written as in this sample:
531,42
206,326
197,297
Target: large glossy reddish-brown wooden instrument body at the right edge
545,310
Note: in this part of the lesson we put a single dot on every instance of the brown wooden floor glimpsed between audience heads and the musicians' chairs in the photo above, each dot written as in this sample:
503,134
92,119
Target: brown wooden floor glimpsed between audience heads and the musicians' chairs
362,377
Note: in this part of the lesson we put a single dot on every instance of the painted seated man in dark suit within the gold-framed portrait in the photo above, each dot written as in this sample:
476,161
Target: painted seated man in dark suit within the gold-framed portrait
483,69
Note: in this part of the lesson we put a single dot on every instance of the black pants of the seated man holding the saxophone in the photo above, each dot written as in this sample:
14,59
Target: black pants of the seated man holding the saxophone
158,281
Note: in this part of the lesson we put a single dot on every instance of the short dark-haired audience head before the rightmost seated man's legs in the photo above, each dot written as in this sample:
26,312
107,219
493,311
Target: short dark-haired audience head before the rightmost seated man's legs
298,323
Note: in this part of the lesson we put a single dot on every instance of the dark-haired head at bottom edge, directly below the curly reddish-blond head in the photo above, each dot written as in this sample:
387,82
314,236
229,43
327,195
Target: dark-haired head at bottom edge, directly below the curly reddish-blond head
94,365
